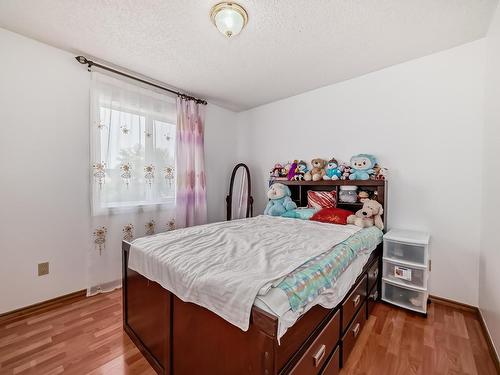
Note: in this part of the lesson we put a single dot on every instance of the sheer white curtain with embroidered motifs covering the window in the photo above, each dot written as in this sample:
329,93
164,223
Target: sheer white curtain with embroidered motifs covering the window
132,150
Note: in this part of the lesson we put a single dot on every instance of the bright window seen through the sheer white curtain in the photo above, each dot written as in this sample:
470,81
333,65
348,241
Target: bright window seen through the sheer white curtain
133,146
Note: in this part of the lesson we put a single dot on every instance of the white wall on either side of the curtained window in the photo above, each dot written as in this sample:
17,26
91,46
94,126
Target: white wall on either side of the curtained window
44,143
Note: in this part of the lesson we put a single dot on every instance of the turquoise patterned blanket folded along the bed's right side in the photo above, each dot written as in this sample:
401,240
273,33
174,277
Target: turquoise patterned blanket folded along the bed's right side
320,273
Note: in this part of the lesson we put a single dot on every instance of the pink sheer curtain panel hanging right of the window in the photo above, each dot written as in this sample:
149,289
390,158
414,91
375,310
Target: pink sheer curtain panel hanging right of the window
191,195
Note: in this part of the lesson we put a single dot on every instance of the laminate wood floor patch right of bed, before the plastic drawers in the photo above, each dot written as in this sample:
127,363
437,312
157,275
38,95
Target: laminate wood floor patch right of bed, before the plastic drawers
396,342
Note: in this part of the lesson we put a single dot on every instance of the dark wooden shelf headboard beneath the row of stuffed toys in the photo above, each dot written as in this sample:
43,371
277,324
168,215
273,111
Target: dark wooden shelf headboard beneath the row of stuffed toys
299,191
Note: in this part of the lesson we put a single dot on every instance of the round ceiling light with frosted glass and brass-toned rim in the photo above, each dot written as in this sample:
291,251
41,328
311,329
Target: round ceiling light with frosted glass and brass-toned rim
229,18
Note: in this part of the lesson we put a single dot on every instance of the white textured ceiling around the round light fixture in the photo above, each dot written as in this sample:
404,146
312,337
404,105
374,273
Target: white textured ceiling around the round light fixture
288,46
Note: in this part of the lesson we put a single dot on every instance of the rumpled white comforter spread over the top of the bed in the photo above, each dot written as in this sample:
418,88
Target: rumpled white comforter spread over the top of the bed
222,266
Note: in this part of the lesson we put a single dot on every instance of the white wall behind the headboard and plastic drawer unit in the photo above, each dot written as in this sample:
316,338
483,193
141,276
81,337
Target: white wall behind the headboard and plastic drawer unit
423,119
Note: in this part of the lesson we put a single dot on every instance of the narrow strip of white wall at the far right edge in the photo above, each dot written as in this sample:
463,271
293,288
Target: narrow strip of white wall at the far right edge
489,275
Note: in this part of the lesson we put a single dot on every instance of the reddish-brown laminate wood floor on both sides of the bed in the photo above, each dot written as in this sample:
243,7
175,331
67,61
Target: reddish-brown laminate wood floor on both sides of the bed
85,336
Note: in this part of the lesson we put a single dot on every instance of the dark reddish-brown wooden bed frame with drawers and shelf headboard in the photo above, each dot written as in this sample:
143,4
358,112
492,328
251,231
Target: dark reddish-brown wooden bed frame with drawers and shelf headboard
183,338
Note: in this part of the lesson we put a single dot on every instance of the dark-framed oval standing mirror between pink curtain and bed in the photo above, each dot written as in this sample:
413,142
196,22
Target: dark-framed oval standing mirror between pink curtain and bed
239,201
